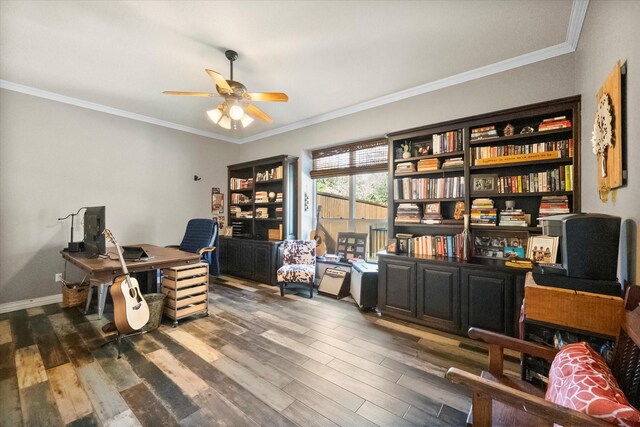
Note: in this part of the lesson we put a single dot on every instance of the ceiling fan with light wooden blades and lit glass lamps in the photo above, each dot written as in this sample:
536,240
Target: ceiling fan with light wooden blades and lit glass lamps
236,111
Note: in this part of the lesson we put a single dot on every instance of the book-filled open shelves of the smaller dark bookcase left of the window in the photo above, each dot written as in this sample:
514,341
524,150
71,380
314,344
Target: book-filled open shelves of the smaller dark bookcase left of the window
262,198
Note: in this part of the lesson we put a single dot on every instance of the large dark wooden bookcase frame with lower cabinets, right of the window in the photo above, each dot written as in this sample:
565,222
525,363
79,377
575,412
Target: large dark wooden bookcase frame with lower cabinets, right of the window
445,292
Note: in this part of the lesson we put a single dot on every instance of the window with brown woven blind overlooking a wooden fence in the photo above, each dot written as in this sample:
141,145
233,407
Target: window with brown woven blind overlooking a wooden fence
352,188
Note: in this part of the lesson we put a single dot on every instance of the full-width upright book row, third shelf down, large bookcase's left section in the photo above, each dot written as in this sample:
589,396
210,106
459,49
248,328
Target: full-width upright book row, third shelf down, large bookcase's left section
428,188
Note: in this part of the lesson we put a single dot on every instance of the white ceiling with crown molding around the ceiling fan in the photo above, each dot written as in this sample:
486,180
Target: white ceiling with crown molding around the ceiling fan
331,57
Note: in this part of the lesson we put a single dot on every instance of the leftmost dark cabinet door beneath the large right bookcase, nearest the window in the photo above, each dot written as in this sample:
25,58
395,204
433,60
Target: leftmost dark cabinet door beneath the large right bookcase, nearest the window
397,287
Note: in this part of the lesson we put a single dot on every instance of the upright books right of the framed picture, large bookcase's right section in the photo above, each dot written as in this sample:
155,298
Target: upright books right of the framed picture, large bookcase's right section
560,179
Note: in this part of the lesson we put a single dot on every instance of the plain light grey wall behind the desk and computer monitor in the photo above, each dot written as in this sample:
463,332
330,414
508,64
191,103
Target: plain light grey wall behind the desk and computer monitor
55,158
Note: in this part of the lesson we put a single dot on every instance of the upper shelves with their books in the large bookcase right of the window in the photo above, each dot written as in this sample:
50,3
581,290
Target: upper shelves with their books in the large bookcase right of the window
518,165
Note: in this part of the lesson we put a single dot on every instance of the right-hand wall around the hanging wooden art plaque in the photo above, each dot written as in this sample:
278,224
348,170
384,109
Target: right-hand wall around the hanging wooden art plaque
610,32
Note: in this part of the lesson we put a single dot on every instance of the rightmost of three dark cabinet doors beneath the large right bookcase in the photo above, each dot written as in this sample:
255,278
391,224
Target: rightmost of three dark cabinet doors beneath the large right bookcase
487,300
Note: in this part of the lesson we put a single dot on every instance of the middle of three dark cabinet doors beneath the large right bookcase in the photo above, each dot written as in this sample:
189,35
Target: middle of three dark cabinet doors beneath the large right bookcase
438,296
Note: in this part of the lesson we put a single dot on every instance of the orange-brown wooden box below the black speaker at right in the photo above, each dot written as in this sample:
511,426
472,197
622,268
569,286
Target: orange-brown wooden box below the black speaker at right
585,311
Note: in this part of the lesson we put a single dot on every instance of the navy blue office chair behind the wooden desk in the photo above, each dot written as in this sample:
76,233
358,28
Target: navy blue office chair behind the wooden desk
201,237
